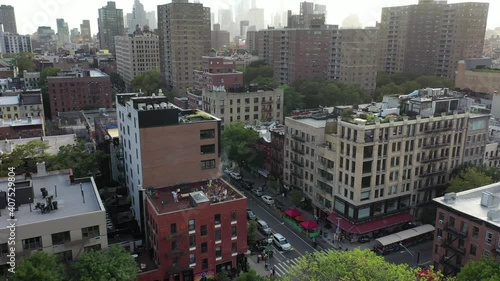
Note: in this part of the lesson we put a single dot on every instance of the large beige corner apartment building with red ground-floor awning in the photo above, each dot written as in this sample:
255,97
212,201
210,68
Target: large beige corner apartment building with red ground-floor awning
375,173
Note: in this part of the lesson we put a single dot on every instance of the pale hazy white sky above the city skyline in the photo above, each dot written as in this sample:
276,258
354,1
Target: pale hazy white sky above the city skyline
33,13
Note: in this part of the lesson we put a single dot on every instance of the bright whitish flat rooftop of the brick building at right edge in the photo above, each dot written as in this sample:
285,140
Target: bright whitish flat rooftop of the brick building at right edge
481,203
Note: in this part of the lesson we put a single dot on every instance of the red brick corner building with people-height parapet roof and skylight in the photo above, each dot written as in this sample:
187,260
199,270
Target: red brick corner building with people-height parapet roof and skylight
203,231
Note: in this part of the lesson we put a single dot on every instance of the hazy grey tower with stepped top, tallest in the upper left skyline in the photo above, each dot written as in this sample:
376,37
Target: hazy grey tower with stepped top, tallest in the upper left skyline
110,24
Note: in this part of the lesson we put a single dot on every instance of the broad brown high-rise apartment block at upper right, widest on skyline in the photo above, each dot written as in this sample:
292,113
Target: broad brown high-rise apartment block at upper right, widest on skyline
431,37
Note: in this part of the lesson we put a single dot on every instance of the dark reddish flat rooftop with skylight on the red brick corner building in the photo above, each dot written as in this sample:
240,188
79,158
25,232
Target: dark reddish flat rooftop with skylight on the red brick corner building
191,194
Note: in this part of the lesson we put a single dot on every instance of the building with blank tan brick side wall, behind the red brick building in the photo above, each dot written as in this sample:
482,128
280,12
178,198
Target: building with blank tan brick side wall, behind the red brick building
163,145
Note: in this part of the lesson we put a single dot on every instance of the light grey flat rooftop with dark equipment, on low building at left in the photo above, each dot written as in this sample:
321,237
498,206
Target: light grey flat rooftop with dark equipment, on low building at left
68,195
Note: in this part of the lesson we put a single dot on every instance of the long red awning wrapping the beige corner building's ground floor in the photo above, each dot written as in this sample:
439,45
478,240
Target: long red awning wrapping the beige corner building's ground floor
369,226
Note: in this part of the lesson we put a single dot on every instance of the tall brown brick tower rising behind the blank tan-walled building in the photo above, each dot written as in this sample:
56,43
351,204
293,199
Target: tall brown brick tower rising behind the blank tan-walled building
184,38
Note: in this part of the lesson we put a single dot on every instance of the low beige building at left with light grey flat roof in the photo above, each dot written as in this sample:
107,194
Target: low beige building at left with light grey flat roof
55,214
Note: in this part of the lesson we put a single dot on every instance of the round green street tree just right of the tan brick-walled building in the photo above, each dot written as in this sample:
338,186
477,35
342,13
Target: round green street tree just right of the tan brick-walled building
238,142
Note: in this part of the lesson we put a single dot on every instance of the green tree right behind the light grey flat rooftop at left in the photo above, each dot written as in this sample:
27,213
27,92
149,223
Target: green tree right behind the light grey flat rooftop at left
76,156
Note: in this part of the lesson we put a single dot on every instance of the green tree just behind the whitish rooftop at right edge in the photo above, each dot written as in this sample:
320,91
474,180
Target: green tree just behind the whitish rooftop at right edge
468,179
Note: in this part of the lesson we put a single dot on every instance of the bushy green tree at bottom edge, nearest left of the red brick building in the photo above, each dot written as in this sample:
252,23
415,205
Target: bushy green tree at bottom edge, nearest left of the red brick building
113,264
